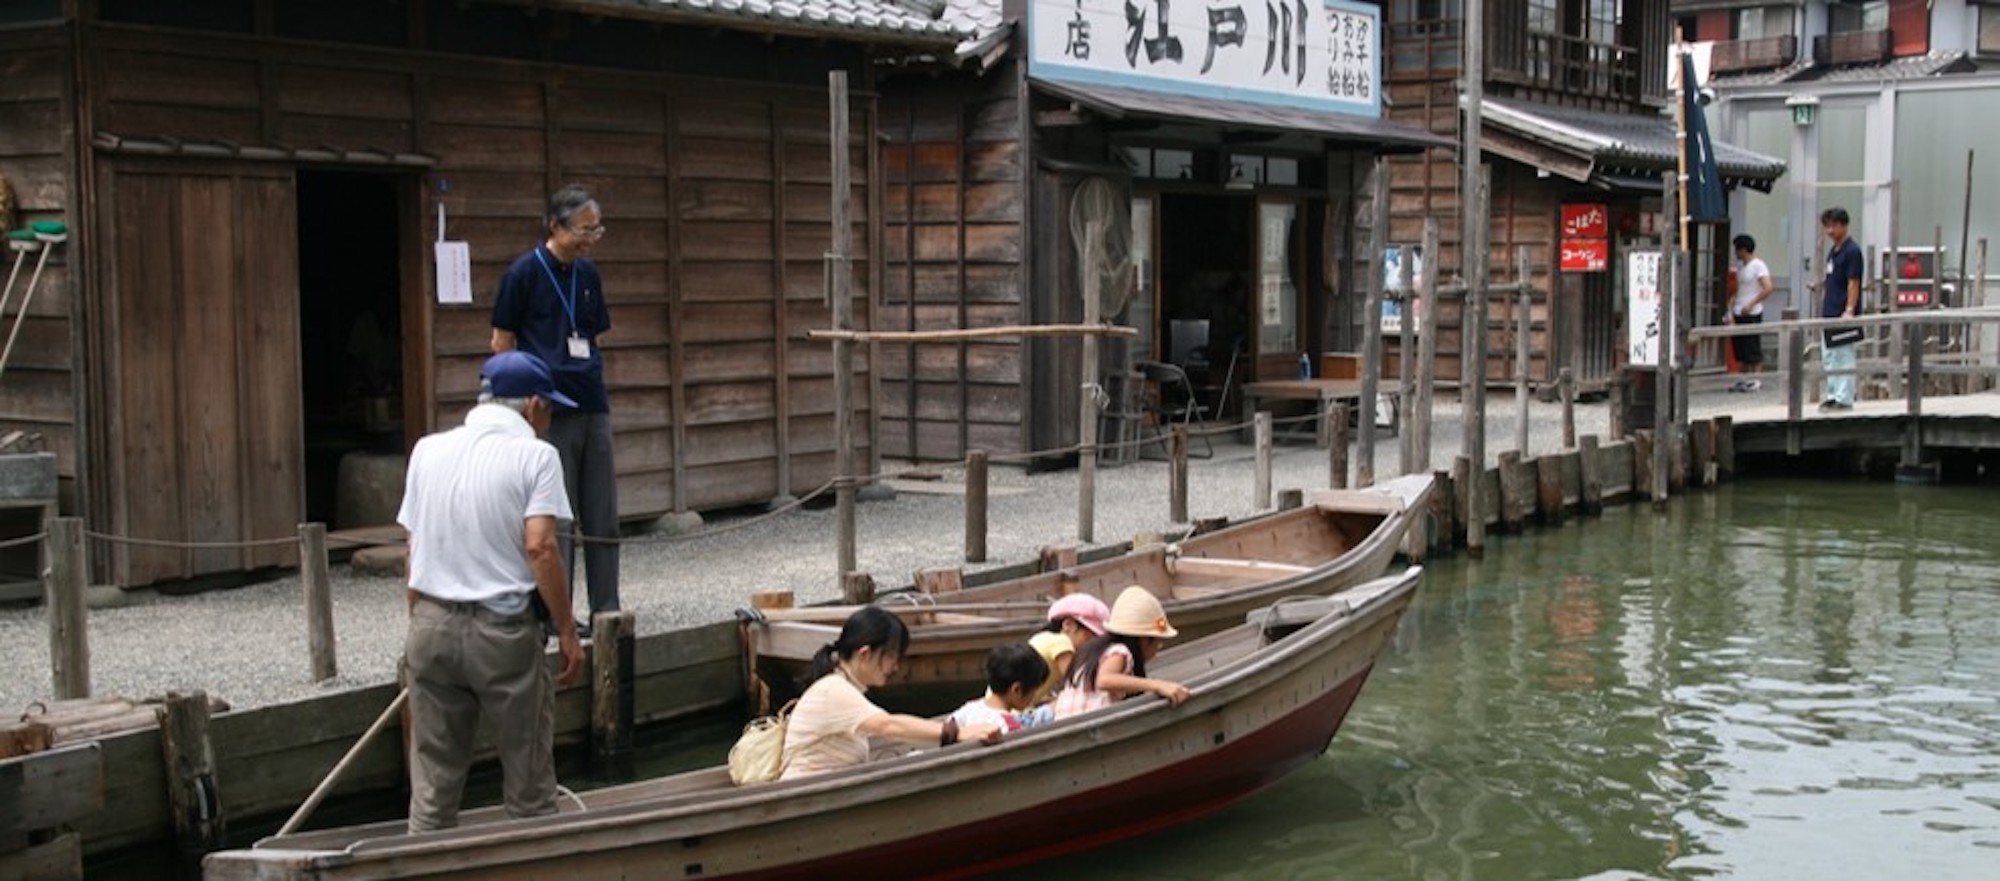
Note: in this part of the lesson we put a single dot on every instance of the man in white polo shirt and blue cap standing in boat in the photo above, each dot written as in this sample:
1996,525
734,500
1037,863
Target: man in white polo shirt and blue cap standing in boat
481,506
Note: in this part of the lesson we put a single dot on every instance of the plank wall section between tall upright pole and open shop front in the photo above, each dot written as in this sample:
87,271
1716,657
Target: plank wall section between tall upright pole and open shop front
953,249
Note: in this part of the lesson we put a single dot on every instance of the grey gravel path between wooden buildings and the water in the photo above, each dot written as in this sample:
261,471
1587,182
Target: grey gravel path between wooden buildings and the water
249,646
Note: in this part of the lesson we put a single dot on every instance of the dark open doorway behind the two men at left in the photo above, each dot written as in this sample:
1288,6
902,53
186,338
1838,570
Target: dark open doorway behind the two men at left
351,345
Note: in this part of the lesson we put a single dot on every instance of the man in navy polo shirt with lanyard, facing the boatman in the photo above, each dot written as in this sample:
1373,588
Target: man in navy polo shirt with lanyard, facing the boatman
553,307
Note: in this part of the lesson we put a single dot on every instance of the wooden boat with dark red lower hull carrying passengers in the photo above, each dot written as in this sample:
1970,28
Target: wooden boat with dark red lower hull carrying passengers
1267,698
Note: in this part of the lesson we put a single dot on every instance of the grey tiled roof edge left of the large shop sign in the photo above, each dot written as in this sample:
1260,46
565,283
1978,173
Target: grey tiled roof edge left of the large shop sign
873,21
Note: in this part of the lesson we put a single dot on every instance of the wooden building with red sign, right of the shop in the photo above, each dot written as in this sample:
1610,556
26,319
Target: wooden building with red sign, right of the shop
1577,125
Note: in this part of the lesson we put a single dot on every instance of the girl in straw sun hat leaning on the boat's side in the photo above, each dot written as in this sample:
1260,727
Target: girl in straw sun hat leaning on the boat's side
1113,668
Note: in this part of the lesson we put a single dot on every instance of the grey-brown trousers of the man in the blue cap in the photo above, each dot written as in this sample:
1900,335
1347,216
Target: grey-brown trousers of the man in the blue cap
467,662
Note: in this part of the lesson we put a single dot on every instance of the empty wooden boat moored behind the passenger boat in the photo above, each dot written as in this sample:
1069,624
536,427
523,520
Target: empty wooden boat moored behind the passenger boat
1205,584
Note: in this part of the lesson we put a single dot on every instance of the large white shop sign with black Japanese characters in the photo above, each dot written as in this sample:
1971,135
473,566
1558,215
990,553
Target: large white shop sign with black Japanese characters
1321,55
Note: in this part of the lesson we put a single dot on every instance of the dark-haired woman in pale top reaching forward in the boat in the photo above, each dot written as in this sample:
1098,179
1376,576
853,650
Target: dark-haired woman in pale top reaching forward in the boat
833,722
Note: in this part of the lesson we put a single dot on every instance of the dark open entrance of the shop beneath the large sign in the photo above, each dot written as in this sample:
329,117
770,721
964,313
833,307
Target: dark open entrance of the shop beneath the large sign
1207,247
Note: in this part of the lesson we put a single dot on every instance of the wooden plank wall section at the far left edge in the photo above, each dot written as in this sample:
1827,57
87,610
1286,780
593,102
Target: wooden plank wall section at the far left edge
37,135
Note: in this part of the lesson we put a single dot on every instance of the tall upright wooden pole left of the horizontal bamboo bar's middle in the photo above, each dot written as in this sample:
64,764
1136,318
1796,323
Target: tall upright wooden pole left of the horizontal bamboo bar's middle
839,287
